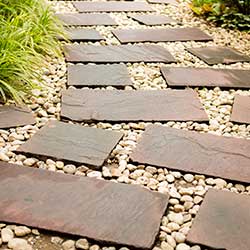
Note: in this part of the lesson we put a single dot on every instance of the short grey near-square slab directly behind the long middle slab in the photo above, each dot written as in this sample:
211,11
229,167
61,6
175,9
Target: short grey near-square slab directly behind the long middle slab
99,75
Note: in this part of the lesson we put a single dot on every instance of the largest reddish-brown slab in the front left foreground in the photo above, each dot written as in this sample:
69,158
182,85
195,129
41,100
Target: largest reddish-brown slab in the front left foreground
96,209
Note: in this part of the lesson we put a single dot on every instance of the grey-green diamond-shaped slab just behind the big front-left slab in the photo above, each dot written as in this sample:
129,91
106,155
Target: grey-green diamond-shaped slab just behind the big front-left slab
74,143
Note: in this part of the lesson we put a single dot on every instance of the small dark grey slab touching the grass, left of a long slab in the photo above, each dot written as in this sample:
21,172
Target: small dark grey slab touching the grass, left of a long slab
79,34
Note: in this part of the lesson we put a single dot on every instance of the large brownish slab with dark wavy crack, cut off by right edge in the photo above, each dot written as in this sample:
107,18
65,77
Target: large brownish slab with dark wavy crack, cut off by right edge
188,151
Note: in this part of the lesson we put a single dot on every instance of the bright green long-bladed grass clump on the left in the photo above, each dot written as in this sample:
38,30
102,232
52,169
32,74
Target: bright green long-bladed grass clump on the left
28,32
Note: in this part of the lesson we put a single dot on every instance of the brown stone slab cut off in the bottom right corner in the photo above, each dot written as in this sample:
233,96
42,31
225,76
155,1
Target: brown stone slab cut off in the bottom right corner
223,221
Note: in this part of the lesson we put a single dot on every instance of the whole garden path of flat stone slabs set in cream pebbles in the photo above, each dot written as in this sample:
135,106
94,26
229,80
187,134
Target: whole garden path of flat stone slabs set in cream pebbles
104,138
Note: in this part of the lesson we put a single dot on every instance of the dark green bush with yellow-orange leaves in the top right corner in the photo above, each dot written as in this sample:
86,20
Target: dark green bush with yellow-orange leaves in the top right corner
232,14
